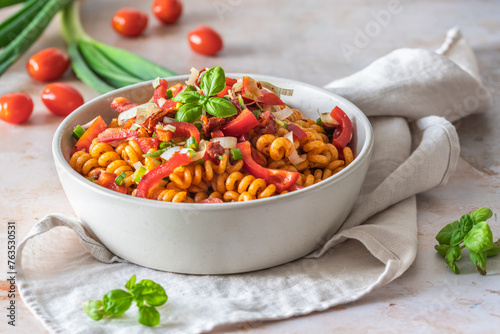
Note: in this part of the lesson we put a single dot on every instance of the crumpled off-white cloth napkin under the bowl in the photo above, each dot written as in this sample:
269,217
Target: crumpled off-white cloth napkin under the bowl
410,95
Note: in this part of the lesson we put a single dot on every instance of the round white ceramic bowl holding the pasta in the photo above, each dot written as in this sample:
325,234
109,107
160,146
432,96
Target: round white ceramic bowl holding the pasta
216,238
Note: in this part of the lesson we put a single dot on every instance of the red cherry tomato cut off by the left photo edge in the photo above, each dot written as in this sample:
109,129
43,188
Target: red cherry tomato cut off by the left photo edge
15,108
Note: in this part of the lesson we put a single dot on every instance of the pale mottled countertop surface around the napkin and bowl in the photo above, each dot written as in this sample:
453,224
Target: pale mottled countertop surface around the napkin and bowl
301,40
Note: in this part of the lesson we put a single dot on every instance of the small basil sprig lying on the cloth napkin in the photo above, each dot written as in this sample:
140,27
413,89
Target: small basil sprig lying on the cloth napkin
146,294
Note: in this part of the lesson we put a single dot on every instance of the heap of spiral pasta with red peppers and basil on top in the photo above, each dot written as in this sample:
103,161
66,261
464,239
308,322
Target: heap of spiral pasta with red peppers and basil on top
214,139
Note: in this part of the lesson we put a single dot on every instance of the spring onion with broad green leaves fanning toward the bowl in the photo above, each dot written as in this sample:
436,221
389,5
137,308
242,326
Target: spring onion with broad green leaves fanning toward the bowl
101,66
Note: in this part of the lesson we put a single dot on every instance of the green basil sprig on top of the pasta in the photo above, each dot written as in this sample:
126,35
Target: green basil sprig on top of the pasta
212,83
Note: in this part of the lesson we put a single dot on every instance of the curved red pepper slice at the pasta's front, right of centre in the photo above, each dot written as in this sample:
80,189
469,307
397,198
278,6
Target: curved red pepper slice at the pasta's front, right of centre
282,179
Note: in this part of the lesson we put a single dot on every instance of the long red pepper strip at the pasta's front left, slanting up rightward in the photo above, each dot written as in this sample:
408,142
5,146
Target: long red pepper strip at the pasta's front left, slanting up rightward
156,174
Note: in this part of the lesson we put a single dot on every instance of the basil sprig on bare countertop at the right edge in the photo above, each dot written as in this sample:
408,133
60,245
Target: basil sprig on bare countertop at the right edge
475,234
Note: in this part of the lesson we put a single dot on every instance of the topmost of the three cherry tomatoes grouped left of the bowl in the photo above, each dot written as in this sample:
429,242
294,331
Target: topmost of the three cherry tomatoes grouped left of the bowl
48,64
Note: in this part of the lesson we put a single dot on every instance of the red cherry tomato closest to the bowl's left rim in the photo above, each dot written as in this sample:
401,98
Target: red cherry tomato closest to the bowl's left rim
61,99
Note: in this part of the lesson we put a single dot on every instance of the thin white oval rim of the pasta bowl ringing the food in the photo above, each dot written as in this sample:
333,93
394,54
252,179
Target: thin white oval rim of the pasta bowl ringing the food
363,155
